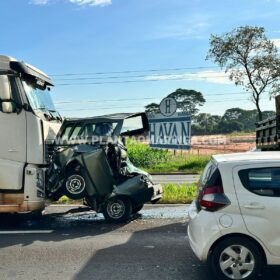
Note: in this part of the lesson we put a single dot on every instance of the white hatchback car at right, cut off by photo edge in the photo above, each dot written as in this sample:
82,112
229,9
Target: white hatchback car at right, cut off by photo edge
234,221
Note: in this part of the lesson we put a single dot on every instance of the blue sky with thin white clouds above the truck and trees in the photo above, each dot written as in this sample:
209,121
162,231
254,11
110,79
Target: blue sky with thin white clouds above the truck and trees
108,56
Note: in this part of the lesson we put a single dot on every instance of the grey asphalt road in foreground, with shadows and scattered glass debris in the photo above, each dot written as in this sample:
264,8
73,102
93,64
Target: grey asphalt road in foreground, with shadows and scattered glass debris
83,246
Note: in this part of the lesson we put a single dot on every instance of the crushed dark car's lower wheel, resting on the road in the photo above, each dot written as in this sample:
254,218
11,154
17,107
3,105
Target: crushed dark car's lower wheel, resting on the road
117,209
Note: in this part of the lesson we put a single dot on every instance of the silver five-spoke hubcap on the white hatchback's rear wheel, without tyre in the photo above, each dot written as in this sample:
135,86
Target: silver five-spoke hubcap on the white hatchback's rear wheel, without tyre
237,262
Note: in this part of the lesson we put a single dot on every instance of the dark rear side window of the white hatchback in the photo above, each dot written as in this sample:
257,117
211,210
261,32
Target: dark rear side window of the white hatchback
261,181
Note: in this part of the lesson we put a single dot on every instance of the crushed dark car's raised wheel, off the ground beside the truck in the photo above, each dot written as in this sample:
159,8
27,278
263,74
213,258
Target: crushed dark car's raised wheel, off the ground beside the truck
75,186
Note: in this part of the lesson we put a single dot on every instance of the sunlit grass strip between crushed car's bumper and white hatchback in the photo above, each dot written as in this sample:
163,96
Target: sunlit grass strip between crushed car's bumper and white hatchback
178,193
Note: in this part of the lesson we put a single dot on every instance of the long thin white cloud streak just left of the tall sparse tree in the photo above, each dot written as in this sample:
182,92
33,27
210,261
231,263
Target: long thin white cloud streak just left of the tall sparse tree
216,77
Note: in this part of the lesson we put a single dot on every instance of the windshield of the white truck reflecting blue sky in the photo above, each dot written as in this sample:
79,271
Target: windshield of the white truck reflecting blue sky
38,99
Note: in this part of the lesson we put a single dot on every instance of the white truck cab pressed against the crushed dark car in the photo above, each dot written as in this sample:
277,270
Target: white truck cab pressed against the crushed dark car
28,122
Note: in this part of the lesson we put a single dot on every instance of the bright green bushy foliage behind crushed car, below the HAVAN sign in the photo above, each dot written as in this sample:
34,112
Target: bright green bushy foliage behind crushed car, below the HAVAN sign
141,155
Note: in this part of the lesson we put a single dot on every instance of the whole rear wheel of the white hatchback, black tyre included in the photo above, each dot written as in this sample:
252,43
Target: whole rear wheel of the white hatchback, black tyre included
236,258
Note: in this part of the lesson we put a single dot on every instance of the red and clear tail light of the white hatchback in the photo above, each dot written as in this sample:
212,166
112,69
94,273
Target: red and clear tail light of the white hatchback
213,198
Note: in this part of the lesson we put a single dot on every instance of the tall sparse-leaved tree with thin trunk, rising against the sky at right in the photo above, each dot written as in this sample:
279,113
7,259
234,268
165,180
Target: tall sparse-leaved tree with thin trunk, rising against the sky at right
251,60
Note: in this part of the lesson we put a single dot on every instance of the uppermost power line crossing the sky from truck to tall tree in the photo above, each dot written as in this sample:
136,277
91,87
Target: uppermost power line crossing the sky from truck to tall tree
133,71
